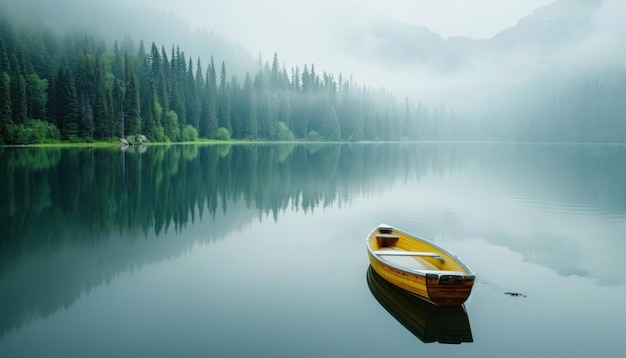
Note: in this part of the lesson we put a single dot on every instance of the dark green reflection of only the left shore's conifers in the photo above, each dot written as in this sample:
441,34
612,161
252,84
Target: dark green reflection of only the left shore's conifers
98,191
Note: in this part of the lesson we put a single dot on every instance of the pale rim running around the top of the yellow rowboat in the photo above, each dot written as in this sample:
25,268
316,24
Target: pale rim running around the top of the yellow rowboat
470,275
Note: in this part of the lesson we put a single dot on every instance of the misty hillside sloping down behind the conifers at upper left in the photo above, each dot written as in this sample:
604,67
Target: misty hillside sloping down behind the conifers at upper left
115,20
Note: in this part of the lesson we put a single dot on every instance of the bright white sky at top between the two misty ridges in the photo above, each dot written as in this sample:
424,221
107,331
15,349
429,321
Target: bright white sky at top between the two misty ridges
283,26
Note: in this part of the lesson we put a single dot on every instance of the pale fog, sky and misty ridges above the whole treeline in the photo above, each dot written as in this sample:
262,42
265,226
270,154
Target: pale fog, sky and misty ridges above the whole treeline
455,52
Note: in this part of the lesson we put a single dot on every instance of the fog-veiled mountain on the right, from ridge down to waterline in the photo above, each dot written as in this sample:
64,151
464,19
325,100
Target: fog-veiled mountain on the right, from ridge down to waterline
558,75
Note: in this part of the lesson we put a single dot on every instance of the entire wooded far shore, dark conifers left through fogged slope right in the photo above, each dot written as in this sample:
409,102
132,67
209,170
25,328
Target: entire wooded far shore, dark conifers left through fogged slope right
63,86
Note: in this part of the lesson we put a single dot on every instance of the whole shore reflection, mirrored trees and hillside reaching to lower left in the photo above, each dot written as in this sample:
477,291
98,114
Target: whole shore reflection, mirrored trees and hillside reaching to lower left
94,204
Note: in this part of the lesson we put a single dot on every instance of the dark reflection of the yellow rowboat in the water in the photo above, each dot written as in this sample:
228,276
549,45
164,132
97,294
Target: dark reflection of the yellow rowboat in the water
426,321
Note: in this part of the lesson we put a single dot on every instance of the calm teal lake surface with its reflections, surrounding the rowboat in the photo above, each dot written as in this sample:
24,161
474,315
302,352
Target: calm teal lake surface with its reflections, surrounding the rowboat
259,251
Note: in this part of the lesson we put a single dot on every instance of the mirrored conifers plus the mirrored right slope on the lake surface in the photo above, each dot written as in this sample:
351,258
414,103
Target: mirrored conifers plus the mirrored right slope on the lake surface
96,191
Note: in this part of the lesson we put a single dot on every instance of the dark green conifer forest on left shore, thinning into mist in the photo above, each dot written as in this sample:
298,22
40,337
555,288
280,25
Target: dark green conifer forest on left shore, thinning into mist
71,88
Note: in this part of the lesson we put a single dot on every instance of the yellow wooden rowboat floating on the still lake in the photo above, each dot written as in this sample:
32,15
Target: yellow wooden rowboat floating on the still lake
419,266
